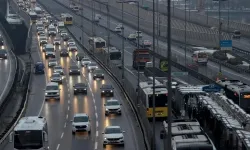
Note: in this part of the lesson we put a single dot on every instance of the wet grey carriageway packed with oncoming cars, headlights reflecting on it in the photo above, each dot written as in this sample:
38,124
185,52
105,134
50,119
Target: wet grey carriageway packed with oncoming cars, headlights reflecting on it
59,113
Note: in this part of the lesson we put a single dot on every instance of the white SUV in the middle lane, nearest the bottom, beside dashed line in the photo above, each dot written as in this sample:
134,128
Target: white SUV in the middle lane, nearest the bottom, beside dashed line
81,122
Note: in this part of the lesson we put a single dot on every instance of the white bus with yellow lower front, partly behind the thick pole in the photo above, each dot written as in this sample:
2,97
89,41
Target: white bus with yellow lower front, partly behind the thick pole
161,99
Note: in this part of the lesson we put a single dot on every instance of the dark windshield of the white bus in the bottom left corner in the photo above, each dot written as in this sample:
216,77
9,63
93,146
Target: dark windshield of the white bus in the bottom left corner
28,139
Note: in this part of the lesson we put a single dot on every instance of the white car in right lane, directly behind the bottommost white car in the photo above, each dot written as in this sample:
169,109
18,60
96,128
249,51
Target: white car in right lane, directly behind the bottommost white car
112,106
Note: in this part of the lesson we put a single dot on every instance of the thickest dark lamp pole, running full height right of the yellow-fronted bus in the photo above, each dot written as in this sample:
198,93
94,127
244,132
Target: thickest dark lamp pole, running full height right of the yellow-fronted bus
169,79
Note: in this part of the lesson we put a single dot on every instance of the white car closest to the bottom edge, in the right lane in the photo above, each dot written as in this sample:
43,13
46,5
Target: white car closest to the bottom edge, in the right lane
113,135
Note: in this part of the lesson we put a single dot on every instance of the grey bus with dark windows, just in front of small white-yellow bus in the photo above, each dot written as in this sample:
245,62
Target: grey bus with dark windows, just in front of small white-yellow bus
115,55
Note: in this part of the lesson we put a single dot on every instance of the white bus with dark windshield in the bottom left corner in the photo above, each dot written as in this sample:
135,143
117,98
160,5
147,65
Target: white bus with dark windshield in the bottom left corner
30,133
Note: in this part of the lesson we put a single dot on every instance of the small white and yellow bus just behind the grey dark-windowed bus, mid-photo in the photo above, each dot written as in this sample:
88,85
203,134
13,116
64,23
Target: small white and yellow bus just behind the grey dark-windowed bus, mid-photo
97,44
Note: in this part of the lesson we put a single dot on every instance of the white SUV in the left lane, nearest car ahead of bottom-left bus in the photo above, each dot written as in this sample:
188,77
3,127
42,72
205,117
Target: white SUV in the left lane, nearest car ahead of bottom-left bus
52,91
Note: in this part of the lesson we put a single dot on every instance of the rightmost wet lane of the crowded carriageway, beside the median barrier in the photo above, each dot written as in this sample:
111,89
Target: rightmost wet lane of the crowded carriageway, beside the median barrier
124,121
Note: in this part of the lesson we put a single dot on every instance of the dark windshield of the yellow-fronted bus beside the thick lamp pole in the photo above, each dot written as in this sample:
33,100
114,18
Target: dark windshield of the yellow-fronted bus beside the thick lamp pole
161,100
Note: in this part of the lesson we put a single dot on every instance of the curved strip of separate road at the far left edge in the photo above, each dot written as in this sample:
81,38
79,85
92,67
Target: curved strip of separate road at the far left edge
7,66
